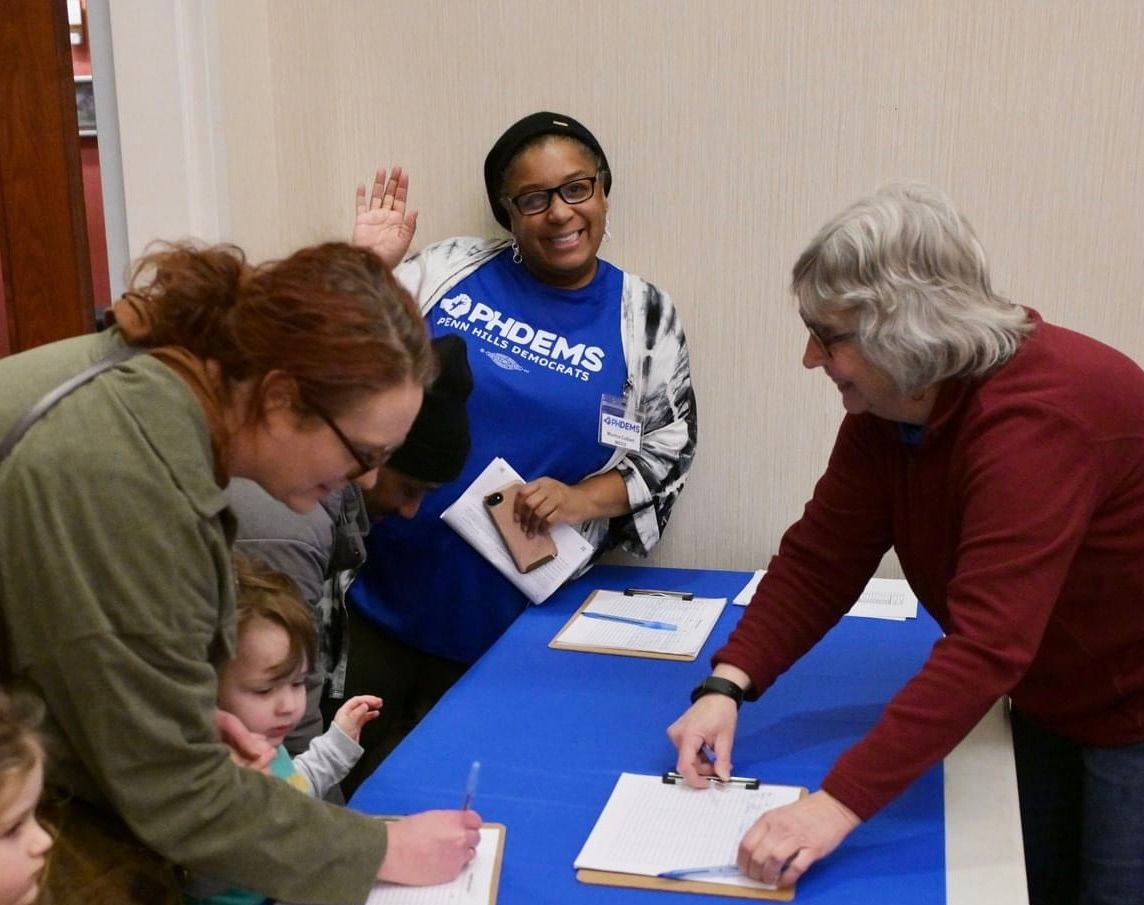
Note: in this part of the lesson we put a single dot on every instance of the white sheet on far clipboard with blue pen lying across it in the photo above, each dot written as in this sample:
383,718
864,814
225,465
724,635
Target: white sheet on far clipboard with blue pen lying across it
693,620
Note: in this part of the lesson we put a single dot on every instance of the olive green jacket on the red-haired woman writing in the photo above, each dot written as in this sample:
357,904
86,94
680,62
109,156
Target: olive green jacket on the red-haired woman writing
117,593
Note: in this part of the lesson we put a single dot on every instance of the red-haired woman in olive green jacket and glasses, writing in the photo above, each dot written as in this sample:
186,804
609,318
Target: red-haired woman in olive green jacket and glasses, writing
117,592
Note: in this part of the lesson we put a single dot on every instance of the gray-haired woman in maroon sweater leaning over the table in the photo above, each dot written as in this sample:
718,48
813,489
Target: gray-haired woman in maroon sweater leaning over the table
1003,458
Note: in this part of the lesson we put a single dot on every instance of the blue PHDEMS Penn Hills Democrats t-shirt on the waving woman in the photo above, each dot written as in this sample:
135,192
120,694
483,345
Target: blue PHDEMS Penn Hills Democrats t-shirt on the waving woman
542,359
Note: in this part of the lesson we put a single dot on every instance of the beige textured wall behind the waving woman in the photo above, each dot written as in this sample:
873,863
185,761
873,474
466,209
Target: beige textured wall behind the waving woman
735,129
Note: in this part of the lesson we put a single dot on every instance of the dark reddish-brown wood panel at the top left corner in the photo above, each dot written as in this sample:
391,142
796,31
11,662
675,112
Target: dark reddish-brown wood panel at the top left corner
46,273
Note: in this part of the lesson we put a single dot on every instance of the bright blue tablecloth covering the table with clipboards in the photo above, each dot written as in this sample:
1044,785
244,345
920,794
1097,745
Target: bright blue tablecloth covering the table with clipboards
554,729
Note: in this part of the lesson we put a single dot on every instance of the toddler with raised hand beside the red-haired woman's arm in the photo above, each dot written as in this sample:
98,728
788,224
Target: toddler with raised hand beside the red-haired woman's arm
265,687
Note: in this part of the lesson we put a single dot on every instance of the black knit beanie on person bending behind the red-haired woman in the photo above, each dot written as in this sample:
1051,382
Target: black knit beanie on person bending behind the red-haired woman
439,442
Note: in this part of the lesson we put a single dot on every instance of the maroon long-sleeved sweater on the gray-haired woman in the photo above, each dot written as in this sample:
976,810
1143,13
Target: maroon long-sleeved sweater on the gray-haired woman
1020,525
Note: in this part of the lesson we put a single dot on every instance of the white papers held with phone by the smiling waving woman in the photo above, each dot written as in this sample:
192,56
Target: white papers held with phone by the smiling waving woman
467,518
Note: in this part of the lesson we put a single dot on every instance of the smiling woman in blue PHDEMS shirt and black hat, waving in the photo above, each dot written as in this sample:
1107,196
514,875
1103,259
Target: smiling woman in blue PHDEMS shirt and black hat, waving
552,330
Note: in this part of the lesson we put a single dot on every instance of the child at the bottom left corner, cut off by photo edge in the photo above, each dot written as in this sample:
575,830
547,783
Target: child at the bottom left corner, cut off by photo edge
25,843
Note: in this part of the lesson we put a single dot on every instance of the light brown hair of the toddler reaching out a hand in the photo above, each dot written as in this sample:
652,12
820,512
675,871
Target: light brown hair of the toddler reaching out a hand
267,594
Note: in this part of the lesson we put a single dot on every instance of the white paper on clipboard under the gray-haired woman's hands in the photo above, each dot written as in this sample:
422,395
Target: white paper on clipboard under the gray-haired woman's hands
650,827
